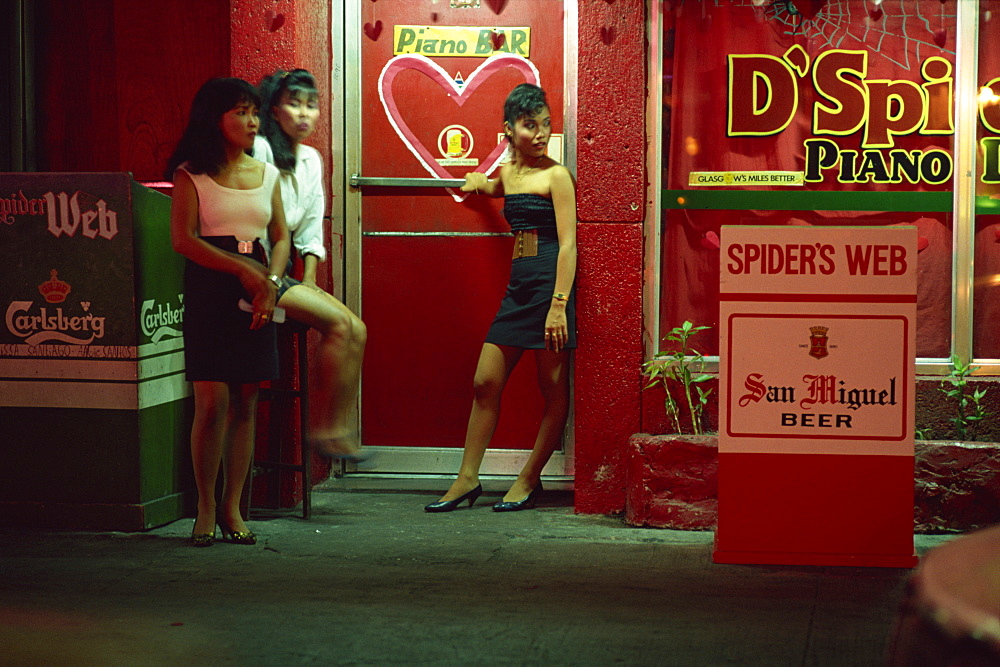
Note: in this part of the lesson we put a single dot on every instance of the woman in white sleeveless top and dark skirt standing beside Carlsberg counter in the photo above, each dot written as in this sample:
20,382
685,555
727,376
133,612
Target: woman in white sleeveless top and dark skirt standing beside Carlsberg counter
224,204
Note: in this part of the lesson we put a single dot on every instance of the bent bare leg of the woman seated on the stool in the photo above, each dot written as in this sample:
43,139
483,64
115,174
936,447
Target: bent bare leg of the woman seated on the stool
338,364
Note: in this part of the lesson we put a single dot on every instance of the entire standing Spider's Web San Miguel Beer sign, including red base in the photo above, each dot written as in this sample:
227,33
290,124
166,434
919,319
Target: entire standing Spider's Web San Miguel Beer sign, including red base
816,390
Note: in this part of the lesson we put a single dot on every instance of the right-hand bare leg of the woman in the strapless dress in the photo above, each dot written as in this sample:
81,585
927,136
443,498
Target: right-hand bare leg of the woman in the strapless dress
553,382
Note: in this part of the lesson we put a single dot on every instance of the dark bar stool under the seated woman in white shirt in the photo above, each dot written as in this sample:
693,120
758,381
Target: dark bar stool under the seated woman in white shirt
293,386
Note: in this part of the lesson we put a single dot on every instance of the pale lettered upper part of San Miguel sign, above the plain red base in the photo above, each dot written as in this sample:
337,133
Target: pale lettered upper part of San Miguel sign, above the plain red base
818,340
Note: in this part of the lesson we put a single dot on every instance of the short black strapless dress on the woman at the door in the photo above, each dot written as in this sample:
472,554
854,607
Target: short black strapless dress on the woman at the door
520,322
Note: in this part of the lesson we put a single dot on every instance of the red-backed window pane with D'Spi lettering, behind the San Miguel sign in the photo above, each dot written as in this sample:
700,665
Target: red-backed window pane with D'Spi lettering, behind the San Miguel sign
854,98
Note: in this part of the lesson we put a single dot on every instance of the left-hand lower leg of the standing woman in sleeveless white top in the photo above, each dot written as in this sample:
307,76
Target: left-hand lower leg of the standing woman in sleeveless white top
208,432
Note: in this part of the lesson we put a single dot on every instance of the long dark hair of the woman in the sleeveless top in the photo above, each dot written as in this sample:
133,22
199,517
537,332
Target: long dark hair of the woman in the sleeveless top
202,145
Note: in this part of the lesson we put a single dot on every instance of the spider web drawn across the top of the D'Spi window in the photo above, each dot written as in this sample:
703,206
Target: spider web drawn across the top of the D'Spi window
908,25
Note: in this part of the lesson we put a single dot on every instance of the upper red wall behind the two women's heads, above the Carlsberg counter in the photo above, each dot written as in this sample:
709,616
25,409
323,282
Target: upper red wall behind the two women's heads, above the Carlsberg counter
115,78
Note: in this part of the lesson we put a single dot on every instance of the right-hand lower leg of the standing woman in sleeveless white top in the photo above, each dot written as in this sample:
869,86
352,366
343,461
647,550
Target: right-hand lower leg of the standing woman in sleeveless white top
238,452
